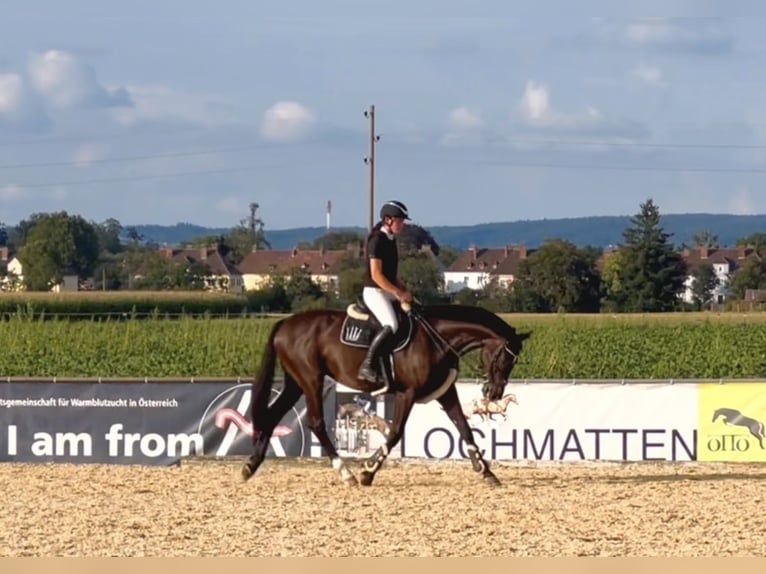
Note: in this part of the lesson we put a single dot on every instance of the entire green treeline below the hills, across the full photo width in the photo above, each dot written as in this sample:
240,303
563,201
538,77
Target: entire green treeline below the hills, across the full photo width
645,273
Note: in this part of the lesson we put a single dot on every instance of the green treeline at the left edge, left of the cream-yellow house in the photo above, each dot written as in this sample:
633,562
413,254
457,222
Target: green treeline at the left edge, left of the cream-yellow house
106,256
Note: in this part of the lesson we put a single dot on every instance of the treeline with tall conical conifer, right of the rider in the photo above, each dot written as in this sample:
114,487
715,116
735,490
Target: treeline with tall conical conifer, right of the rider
646,273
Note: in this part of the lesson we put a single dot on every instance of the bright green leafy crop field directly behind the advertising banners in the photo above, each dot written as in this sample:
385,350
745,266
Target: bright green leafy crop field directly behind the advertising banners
677,346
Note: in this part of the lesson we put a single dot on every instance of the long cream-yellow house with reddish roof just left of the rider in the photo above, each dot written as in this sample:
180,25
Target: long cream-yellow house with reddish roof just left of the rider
323,266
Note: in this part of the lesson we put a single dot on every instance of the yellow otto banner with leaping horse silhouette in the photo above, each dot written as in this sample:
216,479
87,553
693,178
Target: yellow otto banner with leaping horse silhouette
730,422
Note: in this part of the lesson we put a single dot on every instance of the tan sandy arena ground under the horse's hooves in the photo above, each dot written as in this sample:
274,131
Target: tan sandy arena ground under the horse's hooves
413,509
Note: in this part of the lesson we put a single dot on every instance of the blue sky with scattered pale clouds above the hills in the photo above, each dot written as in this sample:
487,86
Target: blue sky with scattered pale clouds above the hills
179,111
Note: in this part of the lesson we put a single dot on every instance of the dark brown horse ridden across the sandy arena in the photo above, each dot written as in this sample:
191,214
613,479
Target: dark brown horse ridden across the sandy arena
423,366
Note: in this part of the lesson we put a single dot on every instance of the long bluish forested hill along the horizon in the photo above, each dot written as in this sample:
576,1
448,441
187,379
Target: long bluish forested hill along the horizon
598,231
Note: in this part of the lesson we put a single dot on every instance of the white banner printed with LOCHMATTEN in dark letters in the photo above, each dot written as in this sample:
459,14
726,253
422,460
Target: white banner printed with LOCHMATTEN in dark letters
565,422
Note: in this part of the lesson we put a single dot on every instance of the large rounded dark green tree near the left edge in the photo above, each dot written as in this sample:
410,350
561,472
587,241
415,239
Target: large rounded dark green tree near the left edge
58,244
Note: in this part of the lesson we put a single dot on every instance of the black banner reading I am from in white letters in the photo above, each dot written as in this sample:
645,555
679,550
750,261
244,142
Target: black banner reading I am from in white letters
155,423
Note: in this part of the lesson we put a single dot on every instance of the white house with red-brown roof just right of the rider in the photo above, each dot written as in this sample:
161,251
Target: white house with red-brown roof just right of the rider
476,267
